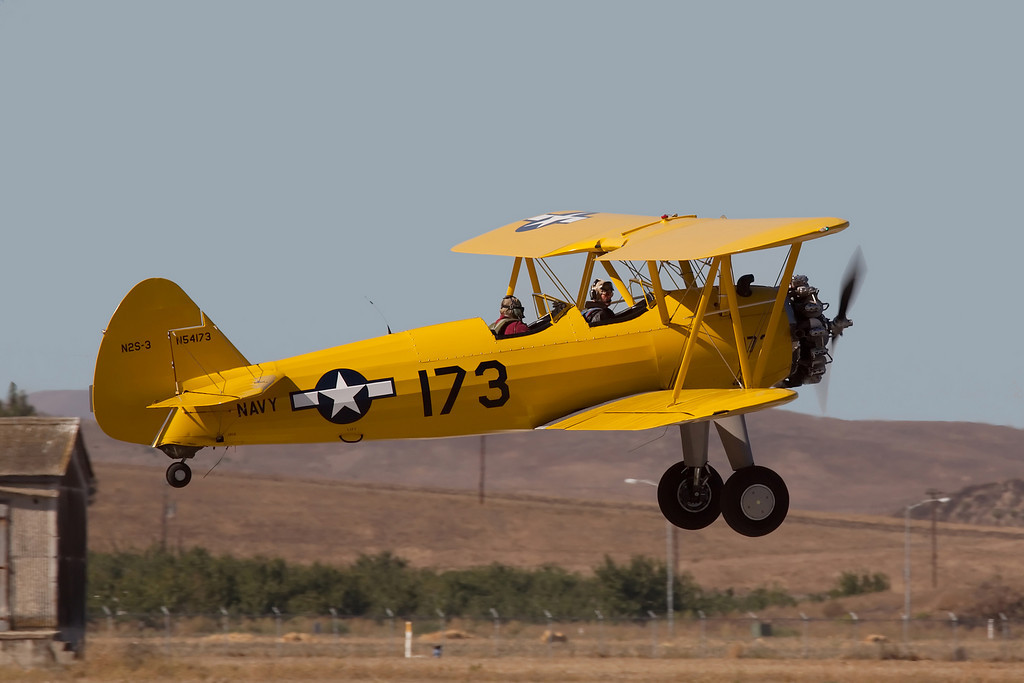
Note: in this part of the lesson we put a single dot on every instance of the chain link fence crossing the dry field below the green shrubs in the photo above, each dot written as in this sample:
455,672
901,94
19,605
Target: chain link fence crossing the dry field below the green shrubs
334,635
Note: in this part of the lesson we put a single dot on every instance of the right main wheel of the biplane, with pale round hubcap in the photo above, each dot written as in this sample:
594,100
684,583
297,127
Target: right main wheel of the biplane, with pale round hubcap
755,501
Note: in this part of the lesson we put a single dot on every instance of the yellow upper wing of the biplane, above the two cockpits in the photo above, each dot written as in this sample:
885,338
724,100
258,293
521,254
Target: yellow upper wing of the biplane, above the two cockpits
645,238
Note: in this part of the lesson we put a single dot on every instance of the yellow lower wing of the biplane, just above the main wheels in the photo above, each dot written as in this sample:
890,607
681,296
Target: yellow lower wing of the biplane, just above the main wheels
647,411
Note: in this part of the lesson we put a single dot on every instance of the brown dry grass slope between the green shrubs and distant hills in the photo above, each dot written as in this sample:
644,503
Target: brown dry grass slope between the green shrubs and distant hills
334,523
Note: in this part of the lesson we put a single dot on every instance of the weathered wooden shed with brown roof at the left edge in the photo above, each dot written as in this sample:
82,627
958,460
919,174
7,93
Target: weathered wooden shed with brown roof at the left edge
47,485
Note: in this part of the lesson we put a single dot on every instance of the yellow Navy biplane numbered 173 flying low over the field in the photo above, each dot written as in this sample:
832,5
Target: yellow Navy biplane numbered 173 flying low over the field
693,346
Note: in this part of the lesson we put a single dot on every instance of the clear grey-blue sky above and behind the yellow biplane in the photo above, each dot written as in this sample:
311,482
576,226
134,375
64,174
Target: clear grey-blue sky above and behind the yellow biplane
287,163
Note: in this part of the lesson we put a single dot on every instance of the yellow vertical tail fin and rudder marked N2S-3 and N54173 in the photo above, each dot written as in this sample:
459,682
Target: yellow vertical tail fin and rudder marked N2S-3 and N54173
158,345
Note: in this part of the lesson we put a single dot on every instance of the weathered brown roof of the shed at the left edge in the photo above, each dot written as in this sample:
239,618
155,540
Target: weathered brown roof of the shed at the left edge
37,446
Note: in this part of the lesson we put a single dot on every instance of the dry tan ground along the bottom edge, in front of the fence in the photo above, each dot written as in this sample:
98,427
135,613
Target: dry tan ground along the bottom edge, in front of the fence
117,660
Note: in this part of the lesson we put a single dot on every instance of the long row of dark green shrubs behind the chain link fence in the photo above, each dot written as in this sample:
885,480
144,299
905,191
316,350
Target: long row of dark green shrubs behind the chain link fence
197,582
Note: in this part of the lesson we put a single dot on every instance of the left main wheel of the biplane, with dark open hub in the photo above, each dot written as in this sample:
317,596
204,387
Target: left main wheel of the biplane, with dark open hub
691,497
